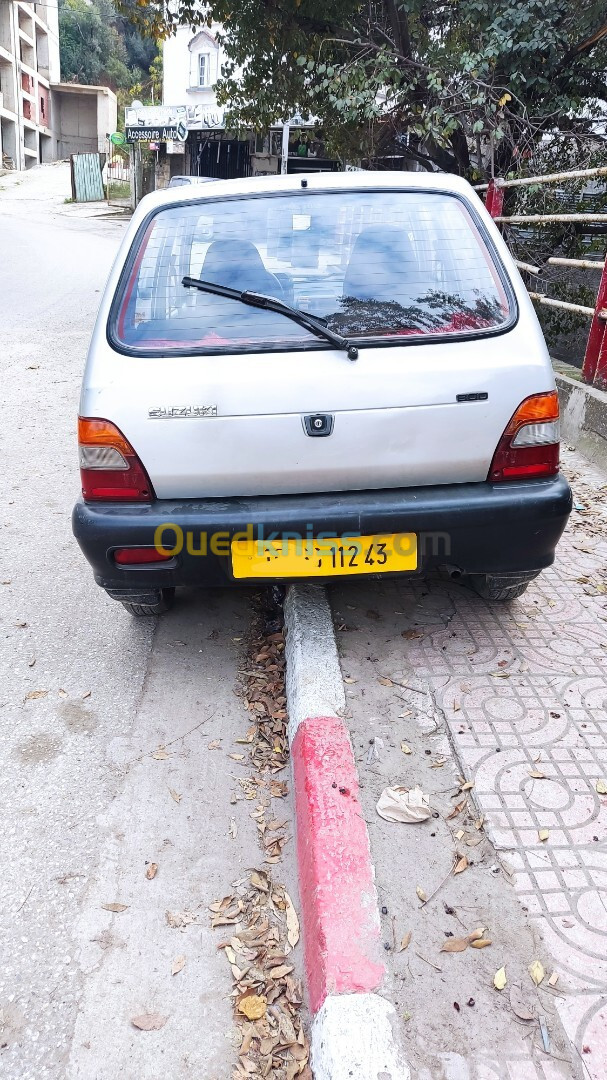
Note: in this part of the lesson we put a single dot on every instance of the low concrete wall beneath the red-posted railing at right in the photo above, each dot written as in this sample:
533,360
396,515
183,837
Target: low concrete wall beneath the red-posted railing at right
584,417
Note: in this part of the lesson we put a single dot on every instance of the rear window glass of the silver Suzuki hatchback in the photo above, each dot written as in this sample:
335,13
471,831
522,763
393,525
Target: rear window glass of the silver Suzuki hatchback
373,265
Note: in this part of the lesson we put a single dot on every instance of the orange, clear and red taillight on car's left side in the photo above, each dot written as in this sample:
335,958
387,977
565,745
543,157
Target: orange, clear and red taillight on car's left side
110,468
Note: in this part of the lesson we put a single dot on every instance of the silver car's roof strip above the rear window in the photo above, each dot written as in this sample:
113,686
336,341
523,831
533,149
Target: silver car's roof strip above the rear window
359,180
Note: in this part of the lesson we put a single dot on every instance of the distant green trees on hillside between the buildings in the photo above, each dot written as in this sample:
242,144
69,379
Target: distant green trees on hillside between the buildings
99,47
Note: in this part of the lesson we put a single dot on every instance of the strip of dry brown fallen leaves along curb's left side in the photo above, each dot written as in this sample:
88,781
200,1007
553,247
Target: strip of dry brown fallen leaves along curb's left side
262,924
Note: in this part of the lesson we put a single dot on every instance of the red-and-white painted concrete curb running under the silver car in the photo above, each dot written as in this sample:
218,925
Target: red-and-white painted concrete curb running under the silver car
354,1030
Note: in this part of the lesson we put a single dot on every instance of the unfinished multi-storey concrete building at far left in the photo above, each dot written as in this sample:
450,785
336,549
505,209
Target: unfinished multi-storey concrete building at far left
30,64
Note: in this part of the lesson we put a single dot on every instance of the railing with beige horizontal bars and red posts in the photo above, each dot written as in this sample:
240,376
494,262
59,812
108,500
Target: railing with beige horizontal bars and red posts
595,369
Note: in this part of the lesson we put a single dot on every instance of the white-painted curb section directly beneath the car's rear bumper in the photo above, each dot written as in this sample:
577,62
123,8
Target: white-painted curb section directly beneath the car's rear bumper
315,686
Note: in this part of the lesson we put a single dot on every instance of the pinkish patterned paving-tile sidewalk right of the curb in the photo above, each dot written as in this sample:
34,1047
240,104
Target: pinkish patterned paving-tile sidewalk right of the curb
521,691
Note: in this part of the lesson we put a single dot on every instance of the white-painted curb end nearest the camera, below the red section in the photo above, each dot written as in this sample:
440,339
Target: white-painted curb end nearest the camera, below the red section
354,1038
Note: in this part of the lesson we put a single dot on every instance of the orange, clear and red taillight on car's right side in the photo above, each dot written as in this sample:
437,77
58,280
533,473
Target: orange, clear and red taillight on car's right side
531,443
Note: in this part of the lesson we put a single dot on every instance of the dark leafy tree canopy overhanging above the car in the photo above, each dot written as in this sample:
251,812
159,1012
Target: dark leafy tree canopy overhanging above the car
462,82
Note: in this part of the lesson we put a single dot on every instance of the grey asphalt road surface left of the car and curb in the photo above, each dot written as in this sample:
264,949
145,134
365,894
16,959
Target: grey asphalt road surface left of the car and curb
87,695
